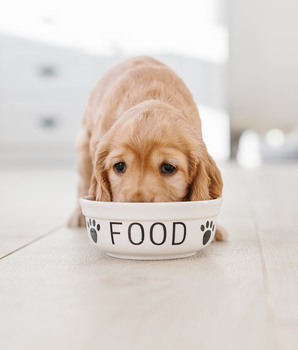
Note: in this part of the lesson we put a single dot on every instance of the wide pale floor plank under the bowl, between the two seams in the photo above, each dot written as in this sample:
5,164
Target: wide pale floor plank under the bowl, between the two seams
62,293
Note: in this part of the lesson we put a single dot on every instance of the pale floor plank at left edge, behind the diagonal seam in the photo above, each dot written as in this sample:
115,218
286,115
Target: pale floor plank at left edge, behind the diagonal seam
34,201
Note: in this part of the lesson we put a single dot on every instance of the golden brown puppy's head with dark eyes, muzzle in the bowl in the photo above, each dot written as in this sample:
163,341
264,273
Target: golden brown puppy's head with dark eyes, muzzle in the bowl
153,155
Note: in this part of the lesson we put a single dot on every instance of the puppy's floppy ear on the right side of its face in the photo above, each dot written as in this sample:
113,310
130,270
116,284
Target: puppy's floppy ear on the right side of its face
206,178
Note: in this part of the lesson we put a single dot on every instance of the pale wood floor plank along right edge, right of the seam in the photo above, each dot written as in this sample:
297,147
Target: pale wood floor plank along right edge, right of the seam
275,212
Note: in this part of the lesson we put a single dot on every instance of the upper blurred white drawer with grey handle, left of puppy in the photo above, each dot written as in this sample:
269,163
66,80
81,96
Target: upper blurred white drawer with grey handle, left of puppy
50,69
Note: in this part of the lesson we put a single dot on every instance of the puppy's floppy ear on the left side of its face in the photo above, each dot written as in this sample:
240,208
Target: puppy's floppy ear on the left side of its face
100,185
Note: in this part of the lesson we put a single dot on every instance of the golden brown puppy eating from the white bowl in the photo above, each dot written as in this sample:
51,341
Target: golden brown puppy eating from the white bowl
141,140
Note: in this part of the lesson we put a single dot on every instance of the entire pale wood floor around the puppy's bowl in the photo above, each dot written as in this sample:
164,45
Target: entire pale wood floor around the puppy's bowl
59,292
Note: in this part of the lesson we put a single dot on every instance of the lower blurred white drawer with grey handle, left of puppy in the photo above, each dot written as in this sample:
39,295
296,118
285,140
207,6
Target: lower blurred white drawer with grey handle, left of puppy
40,123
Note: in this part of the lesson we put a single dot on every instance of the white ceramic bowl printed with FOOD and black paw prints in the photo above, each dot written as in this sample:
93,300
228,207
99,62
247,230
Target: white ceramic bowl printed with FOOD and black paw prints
151,231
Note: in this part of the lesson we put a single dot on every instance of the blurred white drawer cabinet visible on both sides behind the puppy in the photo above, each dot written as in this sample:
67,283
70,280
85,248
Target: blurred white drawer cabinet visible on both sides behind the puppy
44,90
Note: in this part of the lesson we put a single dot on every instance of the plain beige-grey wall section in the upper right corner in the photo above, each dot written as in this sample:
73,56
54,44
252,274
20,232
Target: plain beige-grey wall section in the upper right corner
263,68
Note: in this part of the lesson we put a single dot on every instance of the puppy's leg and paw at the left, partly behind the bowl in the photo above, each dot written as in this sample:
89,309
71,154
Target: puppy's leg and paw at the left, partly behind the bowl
84,165
